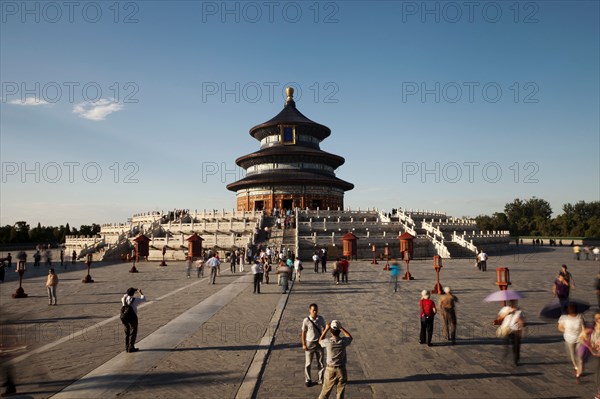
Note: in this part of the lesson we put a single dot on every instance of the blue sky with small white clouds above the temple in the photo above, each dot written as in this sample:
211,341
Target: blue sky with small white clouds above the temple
433,105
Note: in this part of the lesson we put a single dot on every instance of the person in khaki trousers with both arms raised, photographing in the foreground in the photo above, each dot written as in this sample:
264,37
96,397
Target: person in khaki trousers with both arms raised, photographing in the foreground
335,374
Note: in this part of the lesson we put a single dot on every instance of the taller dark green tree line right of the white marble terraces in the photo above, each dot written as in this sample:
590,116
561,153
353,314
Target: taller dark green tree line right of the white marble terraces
533,217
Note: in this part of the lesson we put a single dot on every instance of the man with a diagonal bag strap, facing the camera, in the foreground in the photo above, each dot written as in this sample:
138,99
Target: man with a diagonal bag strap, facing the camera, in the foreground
312,328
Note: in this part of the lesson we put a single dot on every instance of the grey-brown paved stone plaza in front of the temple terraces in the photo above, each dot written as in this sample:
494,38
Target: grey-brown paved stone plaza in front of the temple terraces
211,341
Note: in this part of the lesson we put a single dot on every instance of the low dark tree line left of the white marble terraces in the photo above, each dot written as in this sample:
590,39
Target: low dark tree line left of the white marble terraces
21,233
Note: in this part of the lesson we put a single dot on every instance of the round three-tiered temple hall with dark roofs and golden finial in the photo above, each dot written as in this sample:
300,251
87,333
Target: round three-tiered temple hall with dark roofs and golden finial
290,170
